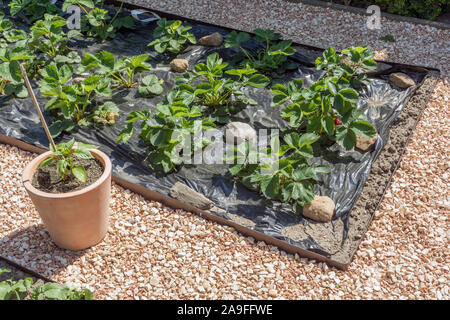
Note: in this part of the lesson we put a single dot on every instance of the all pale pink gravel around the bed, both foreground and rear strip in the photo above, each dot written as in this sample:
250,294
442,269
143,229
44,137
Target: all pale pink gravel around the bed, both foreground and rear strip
153,252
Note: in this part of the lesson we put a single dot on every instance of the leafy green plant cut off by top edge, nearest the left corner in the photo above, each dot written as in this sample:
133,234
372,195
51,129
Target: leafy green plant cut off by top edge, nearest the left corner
34,8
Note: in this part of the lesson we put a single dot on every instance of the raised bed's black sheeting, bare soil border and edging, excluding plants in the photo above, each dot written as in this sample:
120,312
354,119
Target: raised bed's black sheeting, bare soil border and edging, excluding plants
356,185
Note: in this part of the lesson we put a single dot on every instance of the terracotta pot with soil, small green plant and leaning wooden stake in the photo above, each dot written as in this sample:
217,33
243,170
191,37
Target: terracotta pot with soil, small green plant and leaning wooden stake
70,186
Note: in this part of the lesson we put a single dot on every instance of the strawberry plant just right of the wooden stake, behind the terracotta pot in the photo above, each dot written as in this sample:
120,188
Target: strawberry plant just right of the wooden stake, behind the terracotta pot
73,101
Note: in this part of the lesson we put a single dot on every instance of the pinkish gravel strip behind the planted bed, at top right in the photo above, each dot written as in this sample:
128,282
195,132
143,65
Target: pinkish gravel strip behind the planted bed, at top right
320,27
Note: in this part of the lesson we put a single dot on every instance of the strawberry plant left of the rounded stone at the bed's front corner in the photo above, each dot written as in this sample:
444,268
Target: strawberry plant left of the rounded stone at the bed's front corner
288,178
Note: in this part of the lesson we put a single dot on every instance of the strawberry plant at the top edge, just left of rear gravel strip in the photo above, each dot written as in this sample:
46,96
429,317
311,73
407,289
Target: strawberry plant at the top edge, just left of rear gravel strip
96,22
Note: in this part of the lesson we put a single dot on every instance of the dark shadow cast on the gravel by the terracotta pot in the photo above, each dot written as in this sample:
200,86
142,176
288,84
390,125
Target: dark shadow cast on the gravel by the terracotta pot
33,249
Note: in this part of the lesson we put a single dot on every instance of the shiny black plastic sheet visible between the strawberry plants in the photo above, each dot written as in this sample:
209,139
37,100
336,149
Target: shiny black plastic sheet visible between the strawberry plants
380,101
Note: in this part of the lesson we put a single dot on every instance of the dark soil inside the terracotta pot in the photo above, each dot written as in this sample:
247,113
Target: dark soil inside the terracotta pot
49,180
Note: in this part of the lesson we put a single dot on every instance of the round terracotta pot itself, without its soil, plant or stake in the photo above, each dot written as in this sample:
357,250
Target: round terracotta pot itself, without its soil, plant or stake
75,220
